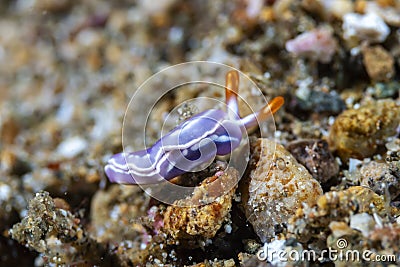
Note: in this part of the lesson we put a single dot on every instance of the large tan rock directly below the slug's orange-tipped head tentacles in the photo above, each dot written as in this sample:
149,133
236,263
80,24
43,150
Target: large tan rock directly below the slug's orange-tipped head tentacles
276,188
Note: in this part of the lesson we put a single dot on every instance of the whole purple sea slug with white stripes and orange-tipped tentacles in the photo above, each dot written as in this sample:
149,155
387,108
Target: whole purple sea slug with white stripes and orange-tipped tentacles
191,144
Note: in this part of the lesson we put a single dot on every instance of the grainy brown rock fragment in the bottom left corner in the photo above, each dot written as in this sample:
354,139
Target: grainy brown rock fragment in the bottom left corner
56,233
